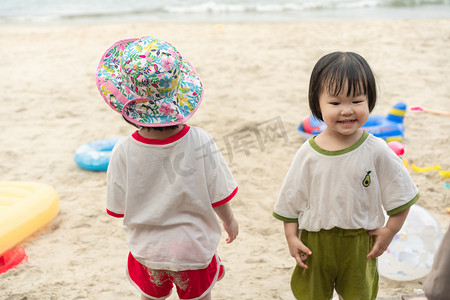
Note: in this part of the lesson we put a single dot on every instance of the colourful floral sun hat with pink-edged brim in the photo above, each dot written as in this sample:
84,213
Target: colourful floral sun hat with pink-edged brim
149,82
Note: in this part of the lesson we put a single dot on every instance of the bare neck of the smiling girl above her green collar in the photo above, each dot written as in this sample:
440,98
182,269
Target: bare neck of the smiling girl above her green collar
335,142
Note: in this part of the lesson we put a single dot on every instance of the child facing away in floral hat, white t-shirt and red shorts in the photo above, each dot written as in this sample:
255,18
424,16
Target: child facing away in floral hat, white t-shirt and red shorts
167,180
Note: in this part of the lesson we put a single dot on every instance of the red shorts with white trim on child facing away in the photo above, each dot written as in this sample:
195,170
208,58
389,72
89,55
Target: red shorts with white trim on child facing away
158,284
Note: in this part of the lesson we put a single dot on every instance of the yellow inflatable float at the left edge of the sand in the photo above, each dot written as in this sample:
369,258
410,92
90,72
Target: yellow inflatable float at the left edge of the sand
24,208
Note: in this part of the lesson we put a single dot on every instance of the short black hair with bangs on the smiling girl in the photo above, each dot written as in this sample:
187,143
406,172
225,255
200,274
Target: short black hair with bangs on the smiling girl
336,69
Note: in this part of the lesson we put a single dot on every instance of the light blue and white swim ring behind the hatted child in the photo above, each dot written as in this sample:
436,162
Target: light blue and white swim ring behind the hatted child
95,155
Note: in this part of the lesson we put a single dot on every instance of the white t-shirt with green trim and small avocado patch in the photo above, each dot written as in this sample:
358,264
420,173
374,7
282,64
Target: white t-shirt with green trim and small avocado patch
348,188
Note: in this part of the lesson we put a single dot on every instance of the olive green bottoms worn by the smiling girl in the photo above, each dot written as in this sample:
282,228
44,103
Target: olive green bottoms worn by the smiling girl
338,261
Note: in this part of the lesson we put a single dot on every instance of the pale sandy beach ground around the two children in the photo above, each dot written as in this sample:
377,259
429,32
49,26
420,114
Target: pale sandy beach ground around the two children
256,79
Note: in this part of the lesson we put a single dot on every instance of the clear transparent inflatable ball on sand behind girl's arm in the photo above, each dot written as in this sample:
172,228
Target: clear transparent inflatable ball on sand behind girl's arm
410,254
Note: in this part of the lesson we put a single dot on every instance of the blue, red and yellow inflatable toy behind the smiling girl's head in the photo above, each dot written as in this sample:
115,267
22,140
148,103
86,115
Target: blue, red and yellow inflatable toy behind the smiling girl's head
389,127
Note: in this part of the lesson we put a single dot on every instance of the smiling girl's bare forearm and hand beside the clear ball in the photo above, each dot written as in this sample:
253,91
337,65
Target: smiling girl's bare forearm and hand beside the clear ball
387,233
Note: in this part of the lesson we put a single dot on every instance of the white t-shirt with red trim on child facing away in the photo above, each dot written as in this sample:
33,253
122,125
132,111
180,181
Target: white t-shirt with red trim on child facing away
165,190
